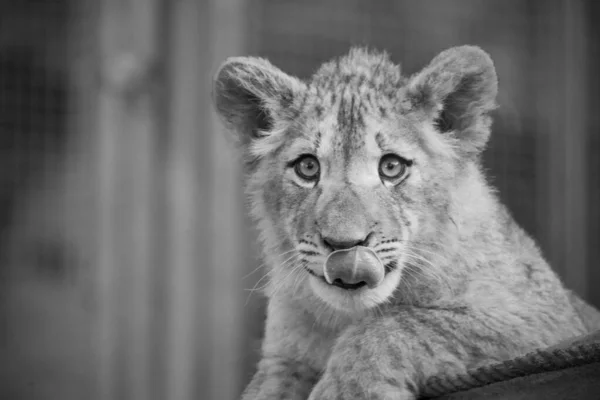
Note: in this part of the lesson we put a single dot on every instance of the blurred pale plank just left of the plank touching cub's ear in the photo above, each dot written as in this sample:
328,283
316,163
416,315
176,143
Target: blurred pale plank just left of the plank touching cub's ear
188,185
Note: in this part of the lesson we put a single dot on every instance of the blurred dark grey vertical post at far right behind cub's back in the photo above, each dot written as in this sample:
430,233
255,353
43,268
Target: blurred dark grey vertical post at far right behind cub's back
560,98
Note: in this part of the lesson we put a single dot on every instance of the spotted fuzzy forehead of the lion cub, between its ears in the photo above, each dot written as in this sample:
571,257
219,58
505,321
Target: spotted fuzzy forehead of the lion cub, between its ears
355,107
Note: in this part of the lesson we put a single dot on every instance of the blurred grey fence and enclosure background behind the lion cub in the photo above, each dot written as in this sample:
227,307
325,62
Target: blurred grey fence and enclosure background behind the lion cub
125,248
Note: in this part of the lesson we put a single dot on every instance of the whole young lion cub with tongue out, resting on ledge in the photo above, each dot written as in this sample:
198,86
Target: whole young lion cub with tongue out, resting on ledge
391,259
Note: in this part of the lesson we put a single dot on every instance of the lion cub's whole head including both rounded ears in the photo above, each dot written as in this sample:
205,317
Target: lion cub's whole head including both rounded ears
354,174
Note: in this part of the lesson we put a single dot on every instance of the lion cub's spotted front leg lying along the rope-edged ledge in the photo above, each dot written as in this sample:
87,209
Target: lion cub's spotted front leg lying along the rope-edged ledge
391,357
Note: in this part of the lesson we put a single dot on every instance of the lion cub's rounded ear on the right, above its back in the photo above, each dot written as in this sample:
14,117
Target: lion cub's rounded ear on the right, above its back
457,90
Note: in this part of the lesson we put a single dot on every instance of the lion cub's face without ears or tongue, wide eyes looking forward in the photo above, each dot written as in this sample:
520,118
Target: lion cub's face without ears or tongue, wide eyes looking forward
354,176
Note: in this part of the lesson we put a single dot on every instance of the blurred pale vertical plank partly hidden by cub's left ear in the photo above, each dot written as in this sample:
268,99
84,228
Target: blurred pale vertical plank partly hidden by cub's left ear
228,38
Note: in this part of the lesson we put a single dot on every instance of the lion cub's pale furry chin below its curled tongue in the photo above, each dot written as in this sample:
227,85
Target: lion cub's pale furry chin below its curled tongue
358,300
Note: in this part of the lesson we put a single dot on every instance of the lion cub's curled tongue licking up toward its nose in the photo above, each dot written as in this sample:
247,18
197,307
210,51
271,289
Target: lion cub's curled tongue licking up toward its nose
355,265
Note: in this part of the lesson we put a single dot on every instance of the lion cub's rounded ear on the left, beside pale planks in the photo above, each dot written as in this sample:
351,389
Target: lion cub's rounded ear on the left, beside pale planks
253,97
